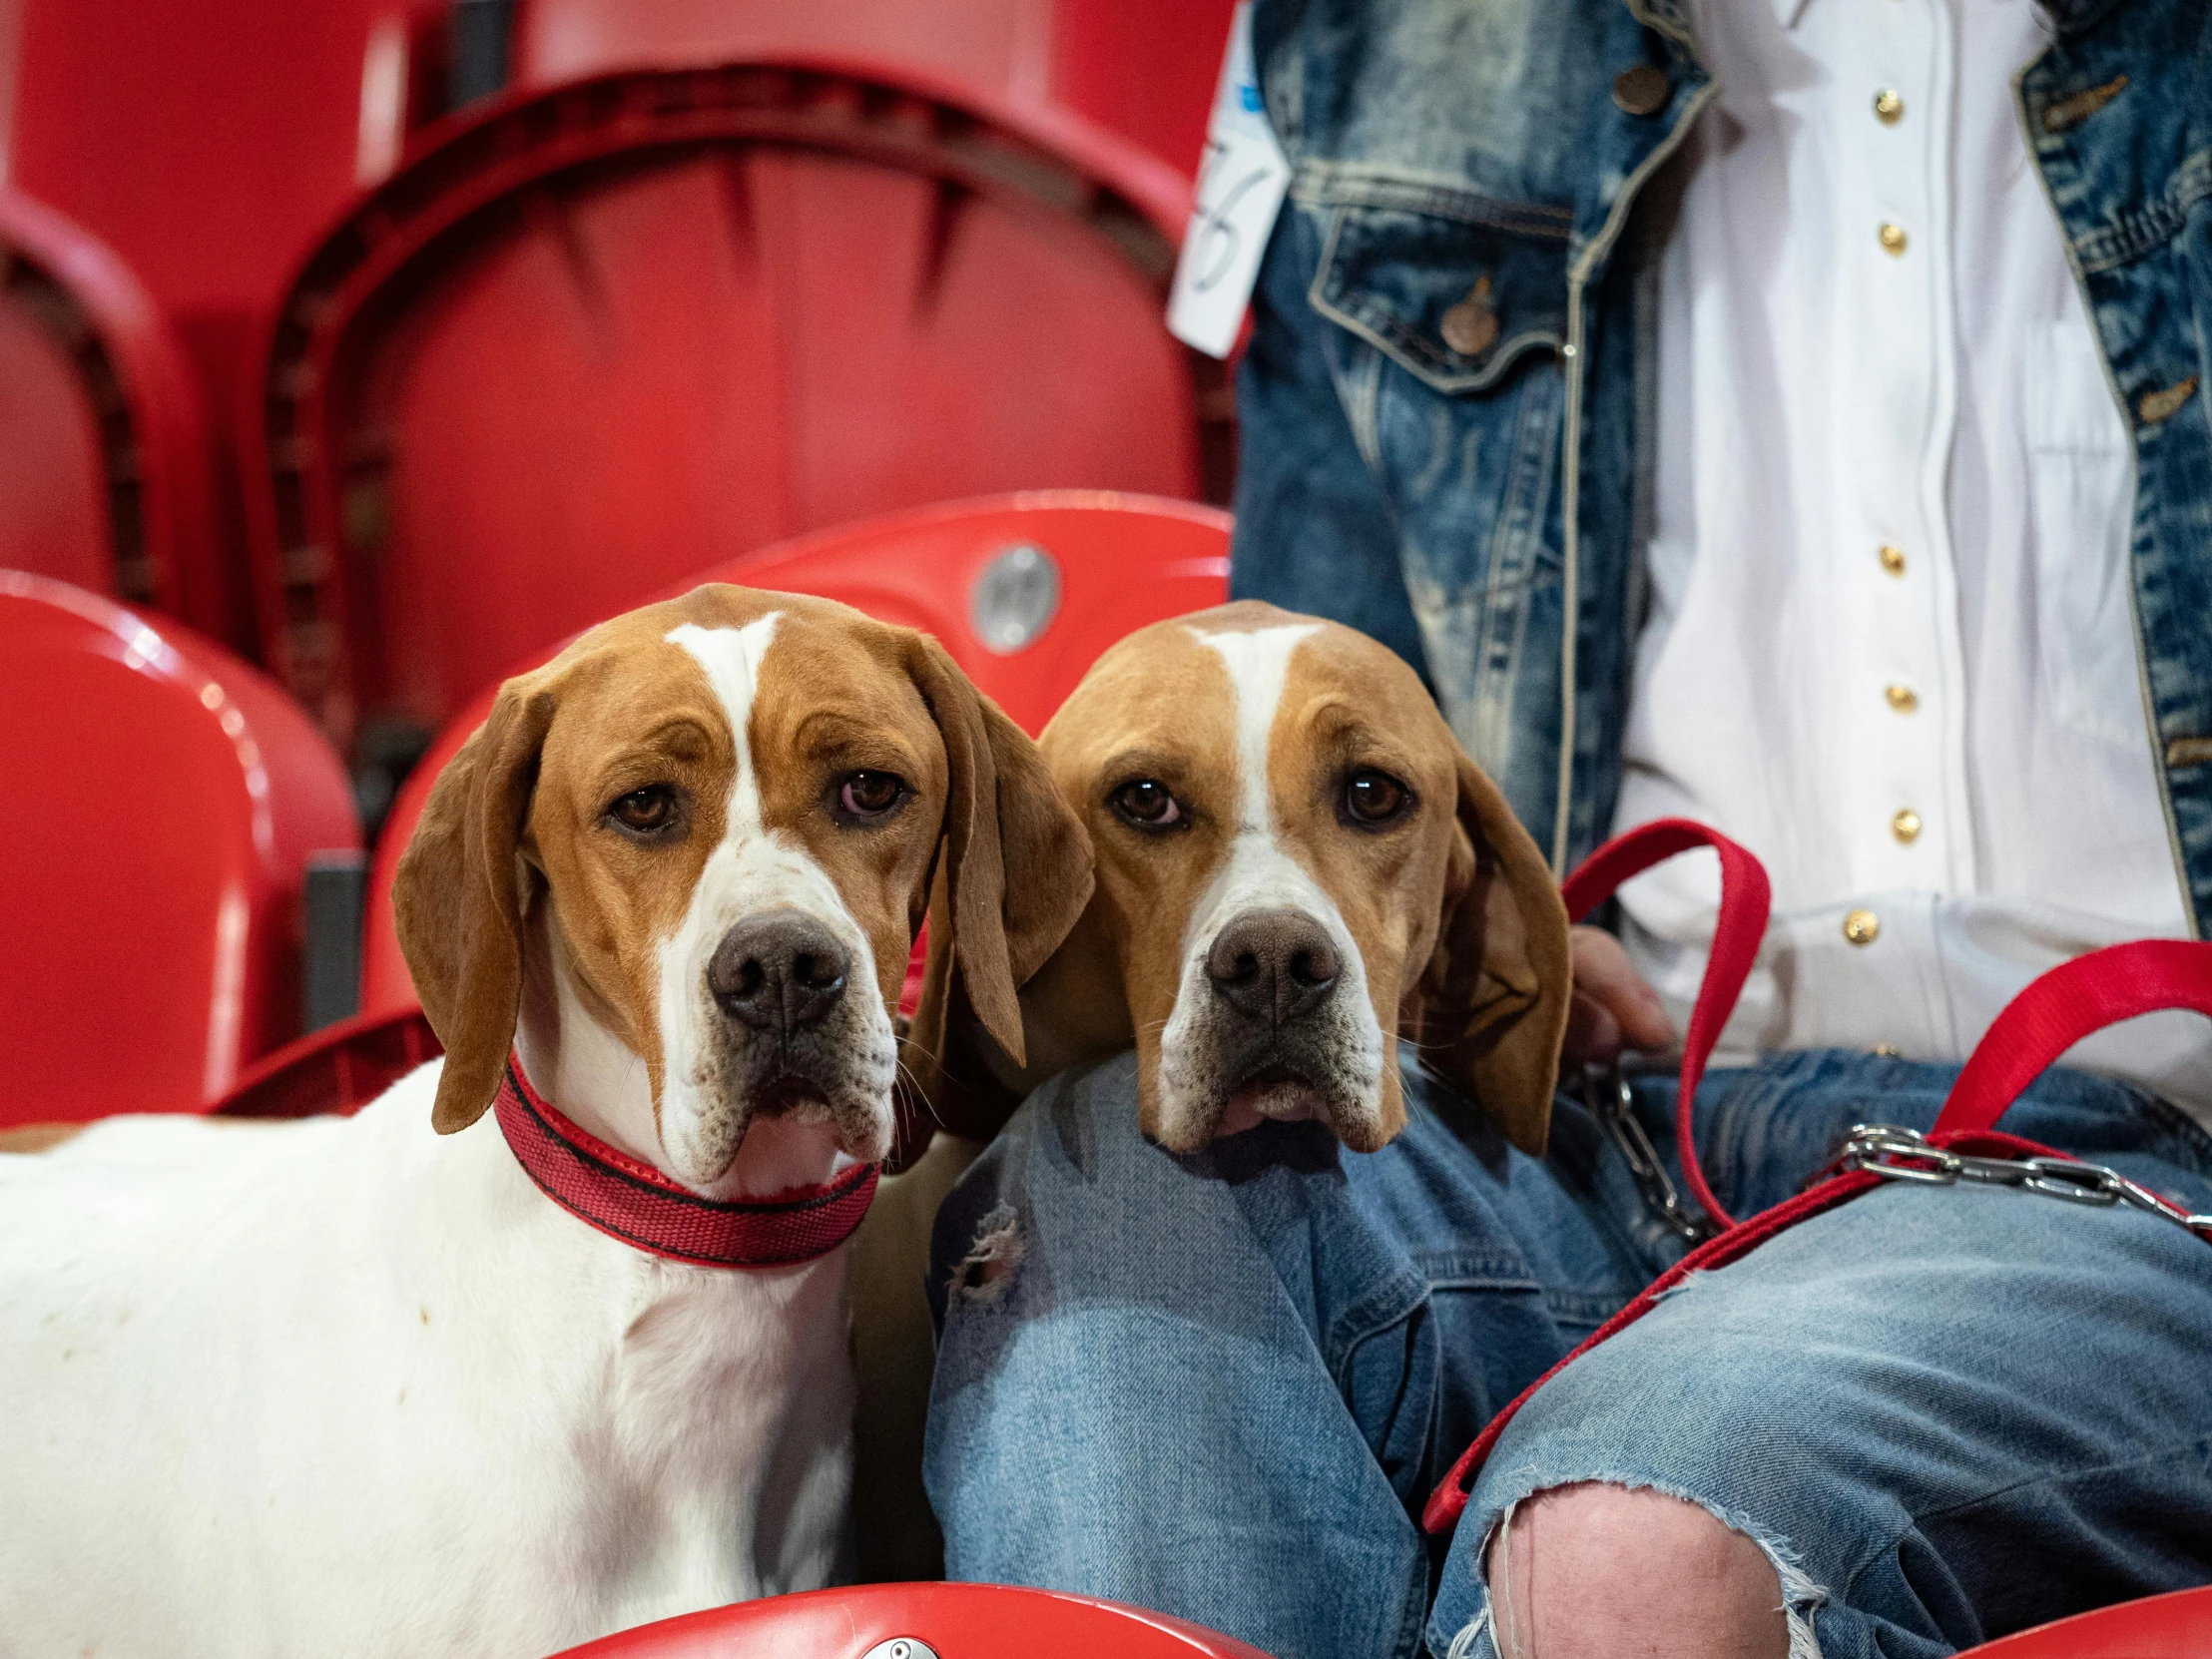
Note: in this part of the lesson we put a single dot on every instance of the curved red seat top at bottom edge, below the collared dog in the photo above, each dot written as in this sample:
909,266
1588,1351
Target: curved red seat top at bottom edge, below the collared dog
921,1623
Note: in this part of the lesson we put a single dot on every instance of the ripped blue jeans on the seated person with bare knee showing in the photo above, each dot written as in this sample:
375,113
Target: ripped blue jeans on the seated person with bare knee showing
1222,1386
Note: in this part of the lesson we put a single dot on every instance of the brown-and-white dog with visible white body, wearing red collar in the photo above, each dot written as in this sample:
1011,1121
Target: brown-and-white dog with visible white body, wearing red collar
353,1386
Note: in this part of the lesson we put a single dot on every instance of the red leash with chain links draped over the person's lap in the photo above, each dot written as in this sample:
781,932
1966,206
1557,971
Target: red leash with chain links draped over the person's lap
2036,1027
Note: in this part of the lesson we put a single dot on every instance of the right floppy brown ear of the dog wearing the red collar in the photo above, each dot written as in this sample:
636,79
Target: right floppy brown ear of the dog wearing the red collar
1014,873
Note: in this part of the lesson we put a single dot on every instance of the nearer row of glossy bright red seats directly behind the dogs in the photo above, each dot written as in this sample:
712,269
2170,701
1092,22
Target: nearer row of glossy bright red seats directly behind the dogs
163,755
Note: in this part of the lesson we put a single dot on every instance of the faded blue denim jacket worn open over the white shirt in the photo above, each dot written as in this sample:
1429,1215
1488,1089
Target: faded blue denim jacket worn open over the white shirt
1448,397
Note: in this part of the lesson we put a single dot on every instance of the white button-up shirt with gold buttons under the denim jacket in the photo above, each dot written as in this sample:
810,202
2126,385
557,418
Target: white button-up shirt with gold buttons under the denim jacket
1890,643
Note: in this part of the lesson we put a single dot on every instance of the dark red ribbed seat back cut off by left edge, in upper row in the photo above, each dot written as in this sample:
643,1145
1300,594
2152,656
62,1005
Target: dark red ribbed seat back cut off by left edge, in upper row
105,463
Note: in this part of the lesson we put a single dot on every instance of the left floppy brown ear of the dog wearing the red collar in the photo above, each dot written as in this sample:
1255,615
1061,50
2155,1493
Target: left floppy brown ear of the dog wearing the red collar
459,899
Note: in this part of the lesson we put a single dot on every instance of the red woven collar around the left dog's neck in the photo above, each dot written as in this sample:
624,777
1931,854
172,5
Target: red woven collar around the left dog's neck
634,1202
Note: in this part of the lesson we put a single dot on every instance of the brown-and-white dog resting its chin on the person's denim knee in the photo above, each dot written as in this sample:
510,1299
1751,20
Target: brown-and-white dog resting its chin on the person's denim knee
1297,868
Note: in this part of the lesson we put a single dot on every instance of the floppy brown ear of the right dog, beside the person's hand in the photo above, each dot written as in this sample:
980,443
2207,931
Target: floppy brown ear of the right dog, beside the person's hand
1494,999
